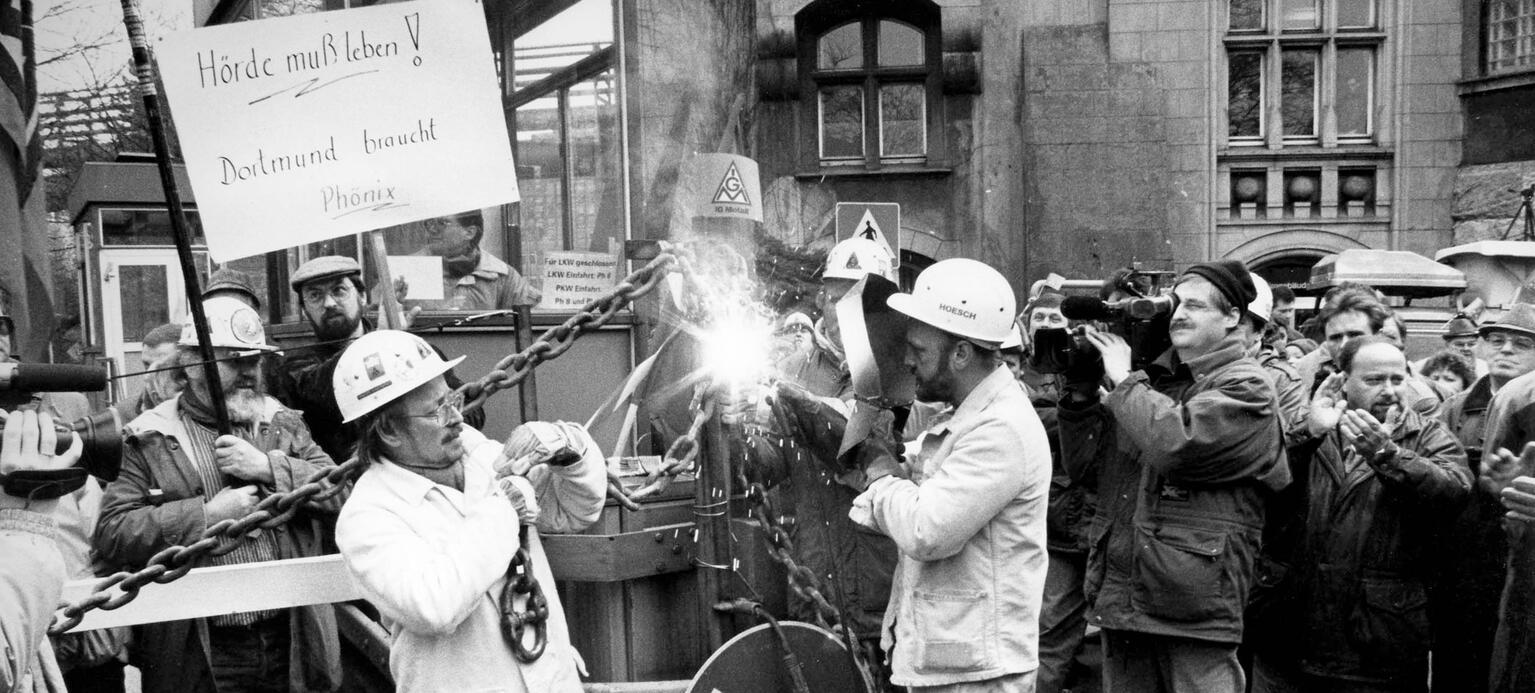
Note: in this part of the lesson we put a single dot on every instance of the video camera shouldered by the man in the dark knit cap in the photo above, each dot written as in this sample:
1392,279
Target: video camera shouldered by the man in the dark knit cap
1134,303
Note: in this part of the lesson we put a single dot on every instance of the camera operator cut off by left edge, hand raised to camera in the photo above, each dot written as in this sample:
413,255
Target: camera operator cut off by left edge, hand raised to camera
33,571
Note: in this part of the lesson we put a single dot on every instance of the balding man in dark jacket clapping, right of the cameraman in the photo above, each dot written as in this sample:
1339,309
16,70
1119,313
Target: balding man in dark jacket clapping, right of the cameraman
1379,479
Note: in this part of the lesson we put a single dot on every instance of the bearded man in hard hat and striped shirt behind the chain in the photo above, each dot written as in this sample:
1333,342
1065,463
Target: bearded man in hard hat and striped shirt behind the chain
180,477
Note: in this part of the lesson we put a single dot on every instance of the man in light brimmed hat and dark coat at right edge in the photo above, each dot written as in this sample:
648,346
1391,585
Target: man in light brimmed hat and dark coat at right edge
1496,413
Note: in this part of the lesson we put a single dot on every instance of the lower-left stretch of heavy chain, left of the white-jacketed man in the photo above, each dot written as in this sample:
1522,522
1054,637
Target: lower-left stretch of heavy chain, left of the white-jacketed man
217,540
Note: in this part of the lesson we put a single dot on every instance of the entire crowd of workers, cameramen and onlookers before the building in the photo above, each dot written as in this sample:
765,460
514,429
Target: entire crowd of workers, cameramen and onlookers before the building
1227,503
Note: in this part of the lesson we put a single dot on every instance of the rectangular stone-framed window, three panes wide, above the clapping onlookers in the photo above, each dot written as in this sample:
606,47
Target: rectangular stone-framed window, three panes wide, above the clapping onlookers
1302,73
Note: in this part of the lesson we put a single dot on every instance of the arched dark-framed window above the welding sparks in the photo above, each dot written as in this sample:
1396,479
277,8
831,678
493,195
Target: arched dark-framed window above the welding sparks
871,78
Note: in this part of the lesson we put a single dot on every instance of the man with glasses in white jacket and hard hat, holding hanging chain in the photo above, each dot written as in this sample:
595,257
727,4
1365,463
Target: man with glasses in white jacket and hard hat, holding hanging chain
429,531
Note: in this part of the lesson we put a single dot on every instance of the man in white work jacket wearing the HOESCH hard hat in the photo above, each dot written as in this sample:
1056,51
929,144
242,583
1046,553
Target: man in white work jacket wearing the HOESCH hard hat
971,517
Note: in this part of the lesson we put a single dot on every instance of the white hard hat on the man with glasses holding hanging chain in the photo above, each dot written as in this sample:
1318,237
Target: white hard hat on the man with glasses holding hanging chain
381,368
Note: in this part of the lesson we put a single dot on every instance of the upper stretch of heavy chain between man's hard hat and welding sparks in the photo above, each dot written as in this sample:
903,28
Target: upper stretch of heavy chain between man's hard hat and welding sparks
598,313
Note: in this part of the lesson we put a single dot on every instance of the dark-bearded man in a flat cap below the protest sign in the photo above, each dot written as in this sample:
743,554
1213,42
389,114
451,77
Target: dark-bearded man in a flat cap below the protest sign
332,297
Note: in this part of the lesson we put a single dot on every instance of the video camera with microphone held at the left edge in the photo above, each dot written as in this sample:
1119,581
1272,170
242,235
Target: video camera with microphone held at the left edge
102,433
